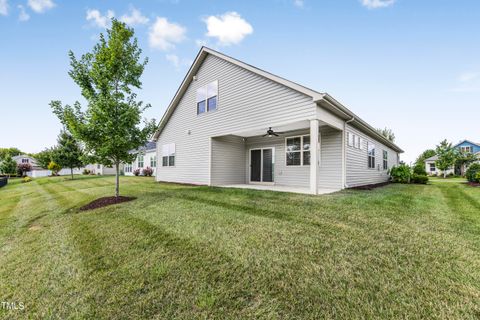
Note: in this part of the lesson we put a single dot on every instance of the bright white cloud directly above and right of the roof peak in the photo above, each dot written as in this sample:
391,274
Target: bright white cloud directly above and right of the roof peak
229,28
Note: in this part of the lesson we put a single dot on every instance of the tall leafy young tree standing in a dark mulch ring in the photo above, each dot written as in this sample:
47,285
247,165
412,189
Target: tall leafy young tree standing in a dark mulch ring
107,76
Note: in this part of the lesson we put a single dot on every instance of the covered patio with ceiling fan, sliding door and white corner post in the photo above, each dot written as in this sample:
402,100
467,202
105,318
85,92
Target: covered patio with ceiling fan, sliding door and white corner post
287,160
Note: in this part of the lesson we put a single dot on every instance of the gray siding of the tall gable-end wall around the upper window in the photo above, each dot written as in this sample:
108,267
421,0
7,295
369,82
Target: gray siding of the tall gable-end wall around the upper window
245,100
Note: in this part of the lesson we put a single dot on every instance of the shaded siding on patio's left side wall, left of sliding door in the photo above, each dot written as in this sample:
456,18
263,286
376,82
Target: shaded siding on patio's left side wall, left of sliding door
228,160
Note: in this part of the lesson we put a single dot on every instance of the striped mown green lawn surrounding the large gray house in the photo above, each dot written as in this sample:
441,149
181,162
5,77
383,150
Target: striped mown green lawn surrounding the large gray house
197,252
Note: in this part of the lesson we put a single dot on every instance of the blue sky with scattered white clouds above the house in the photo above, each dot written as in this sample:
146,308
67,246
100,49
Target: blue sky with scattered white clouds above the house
412,66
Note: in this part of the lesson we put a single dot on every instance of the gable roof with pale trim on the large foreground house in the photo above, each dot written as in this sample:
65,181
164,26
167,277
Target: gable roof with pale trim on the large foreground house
323,99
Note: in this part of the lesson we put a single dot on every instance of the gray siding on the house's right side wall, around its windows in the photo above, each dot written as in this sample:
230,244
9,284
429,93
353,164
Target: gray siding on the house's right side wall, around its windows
358,172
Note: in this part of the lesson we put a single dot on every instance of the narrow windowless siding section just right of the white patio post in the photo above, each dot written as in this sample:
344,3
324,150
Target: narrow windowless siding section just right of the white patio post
330,170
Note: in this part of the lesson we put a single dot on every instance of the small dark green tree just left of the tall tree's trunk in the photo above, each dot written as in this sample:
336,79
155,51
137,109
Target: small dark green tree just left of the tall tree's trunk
68,152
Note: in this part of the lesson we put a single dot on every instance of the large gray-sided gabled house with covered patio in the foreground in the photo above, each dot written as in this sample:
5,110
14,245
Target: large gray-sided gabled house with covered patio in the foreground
232,124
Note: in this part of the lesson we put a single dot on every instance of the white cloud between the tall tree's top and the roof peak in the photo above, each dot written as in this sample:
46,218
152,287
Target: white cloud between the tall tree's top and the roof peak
164,35
